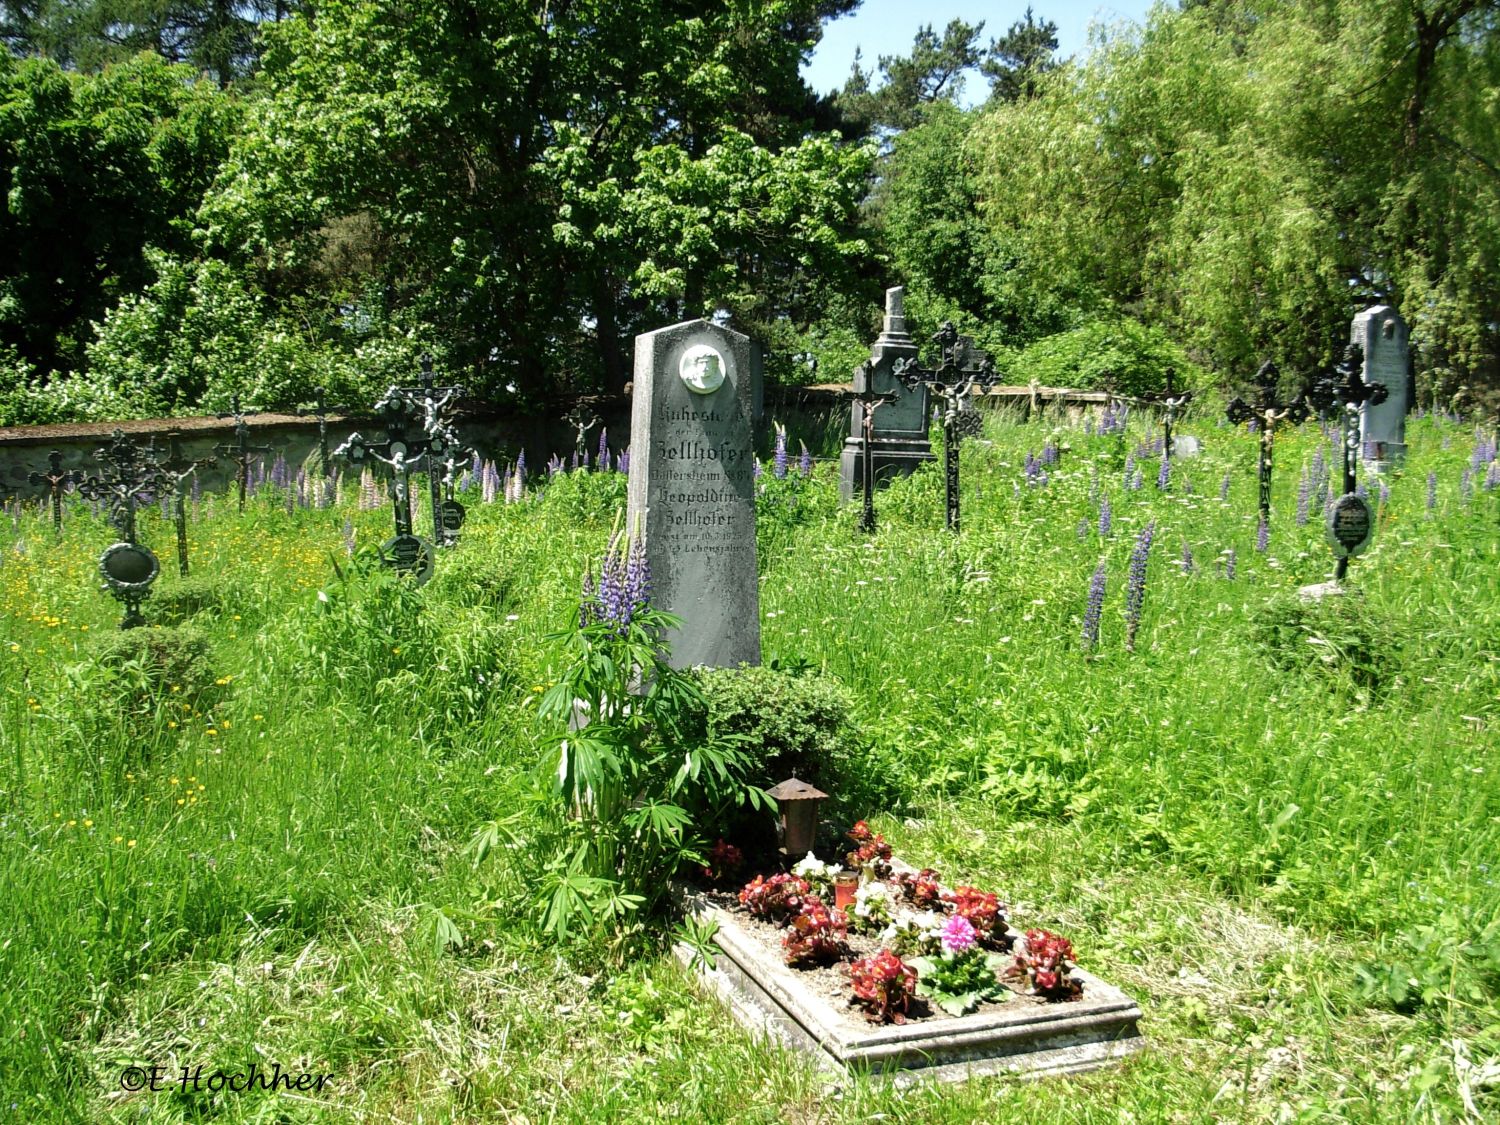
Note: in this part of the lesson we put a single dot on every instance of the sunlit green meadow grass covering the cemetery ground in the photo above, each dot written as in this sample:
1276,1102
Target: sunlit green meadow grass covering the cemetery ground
1273,827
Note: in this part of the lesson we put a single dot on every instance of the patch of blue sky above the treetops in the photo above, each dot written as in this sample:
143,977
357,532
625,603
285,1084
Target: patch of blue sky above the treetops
887,28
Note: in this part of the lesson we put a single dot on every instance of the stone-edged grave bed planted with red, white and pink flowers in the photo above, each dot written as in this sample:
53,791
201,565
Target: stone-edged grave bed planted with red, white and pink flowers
895,971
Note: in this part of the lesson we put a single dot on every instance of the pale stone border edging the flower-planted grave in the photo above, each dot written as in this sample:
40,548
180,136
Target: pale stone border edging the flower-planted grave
1021,1037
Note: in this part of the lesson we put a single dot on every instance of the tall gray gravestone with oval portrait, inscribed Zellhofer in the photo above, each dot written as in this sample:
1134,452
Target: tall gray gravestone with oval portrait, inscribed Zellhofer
692,488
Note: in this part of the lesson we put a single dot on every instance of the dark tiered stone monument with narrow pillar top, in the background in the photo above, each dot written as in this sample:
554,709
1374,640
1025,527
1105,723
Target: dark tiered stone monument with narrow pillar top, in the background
901,428
